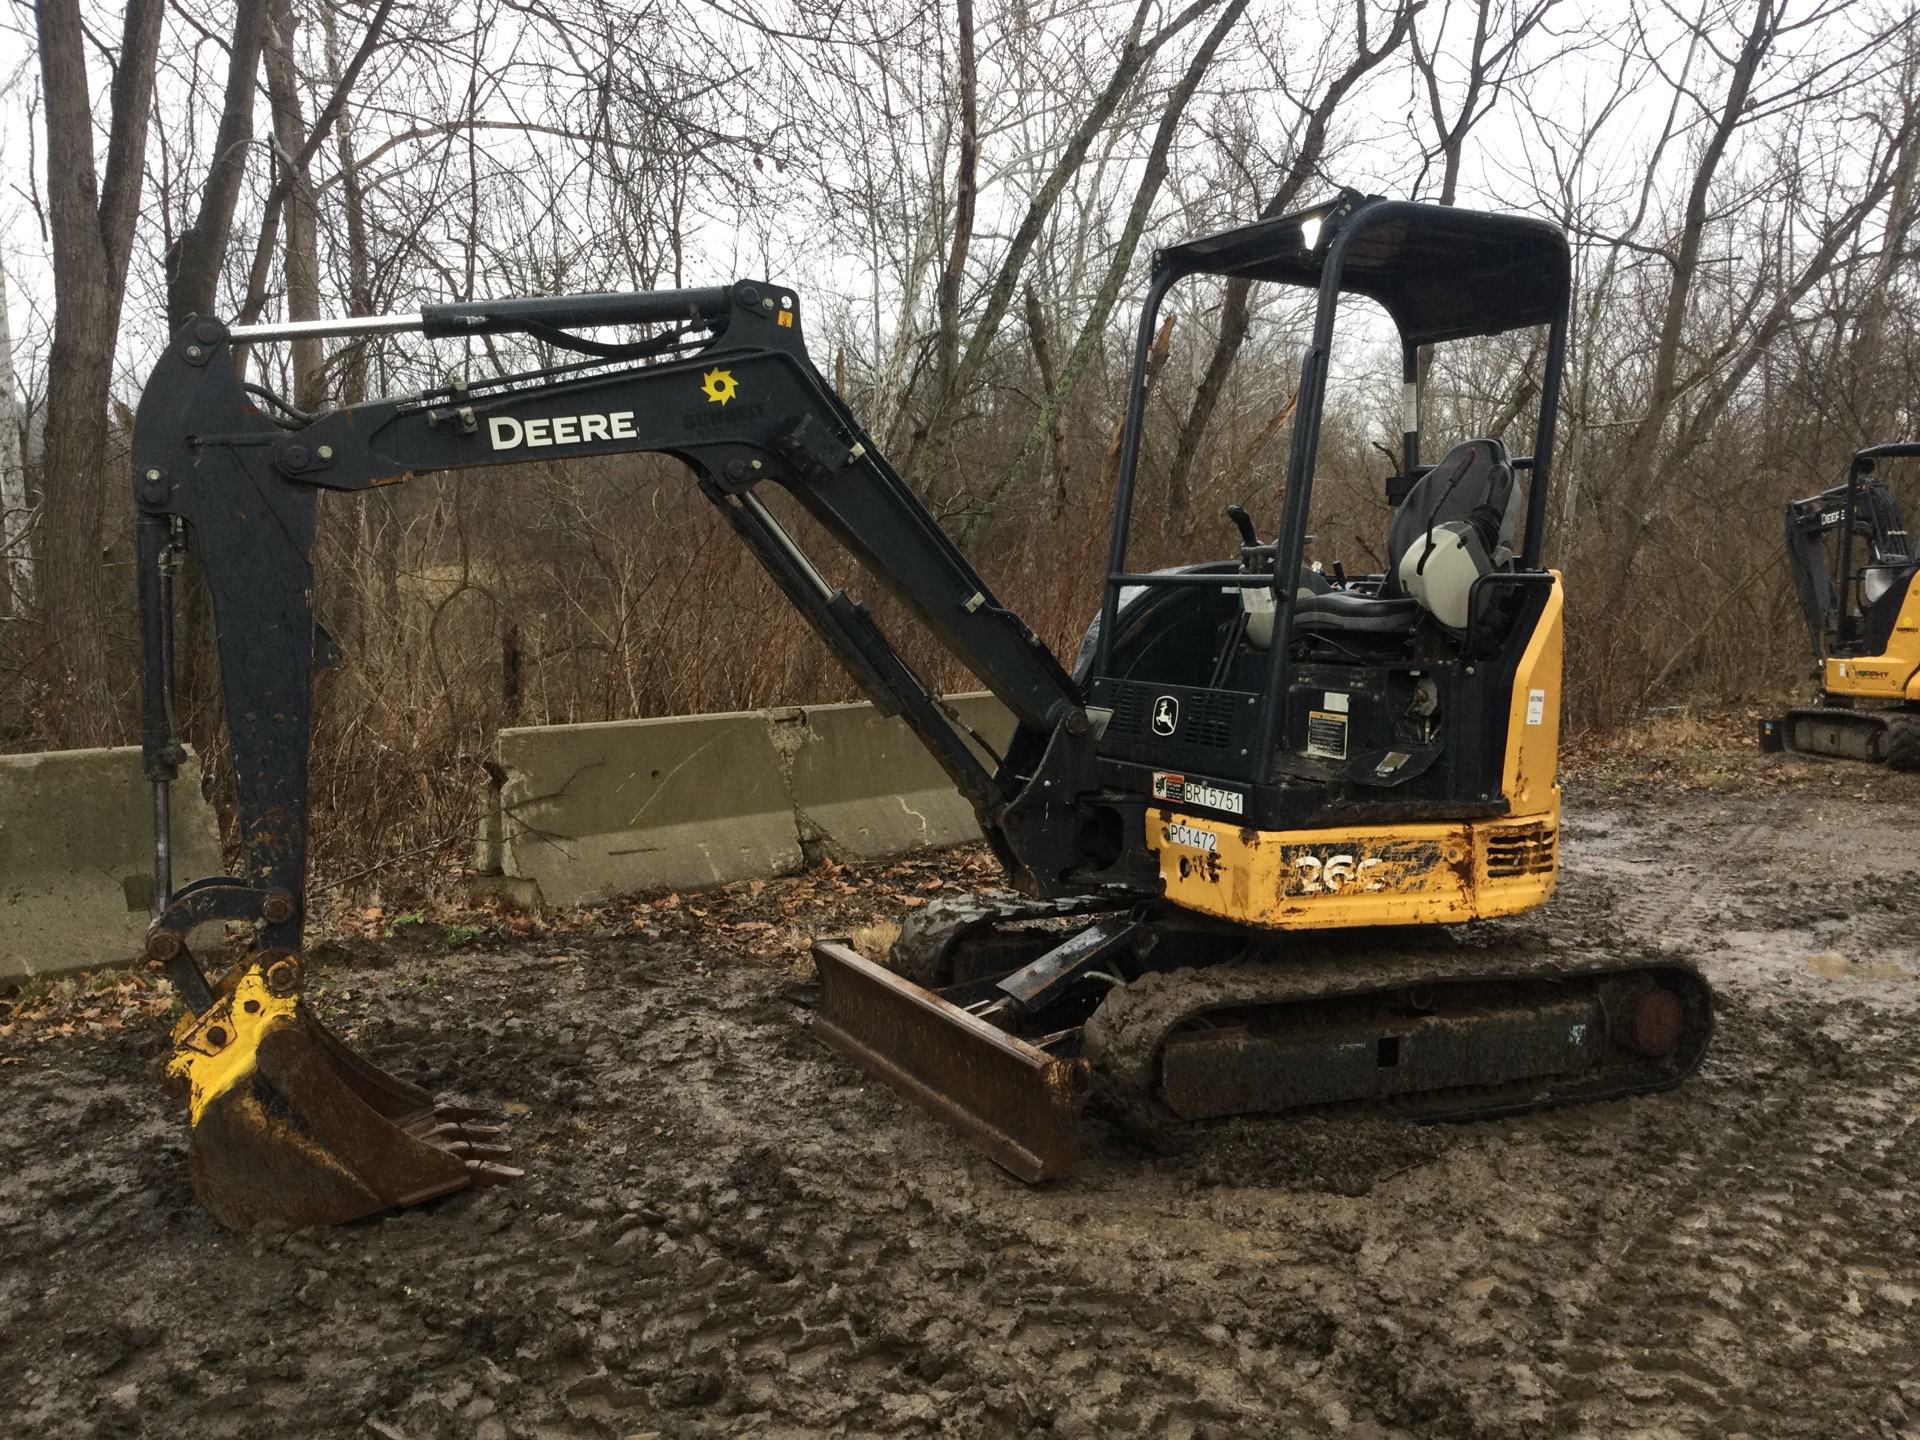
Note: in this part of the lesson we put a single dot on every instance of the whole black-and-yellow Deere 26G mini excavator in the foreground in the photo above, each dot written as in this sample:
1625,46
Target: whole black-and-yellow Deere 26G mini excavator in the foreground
1241,830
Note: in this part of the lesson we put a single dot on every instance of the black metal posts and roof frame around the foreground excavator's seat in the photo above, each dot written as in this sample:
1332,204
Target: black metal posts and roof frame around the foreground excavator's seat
1314,247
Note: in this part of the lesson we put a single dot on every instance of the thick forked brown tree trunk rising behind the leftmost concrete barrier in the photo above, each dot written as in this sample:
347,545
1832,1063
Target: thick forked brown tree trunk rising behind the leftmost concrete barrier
91,228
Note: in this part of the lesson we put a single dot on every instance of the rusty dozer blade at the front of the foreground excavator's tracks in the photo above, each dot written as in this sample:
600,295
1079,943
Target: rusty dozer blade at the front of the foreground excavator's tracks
1015,1103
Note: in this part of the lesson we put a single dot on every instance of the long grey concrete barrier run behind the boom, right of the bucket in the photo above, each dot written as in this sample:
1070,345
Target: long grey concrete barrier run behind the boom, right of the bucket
694,802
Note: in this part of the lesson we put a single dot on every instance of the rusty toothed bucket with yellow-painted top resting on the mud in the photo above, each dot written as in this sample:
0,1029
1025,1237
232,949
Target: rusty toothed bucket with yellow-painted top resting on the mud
291,1126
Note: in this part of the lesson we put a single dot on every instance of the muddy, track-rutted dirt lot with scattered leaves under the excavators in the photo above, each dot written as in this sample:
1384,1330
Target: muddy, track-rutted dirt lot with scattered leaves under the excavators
725,1232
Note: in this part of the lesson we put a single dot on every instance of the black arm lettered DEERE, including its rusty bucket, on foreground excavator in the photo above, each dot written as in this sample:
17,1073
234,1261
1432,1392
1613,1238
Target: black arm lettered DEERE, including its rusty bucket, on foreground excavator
732,395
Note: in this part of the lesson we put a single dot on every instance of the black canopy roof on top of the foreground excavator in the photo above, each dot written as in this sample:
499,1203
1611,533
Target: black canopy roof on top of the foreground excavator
1443,274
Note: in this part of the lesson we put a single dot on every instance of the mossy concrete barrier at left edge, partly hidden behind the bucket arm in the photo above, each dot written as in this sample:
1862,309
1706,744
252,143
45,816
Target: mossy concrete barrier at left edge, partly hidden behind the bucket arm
76,857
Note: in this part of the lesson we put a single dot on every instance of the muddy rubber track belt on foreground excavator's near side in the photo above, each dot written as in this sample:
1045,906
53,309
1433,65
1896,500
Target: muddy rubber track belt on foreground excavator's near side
1126,1034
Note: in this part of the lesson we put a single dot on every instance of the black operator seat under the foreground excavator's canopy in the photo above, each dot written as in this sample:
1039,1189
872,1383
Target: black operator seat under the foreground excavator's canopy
1454,527
